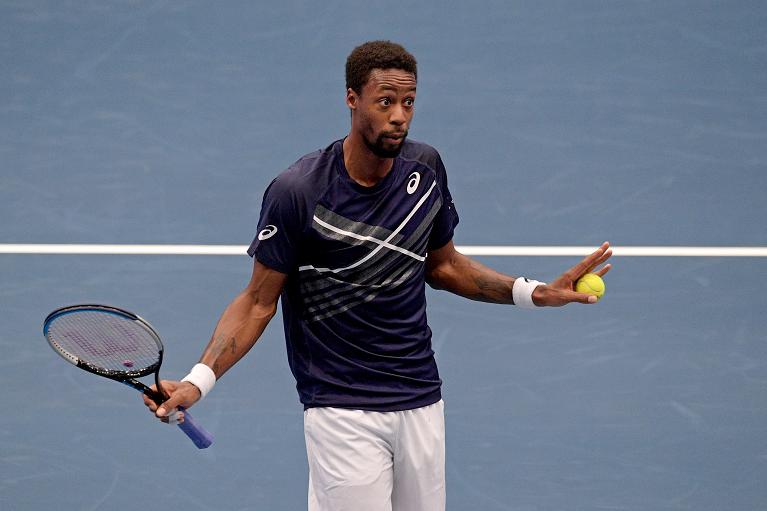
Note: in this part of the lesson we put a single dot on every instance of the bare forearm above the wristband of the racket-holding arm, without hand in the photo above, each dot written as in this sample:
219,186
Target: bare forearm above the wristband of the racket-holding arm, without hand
240,326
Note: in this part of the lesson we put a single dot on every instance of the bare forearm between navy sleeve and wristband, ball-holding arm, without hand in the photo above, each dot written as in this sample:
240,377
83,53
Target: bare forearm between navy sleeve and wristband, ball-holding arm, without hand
468,278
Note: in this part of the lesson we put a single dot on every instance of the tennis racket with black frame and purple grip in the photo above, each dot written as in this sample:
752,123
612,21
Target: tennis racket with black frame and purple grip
115,344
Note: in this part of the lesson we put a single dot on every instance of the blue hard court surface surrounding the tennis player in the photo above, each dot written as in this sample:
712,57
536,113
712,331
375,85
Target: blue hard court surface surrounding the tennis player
561,124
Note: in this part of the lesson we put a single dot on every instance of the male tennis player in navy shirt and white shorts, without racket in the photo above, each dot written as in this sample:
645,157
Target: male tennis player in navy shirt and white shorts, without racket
348,237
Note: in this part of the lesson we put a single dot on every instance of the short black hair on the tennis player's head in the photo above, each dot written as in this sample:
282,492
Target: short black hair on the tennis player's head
376,55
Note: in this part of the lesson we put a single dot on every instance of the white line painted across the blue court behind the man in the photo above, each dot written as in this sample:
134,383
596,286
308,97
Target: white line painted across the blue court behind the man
474,250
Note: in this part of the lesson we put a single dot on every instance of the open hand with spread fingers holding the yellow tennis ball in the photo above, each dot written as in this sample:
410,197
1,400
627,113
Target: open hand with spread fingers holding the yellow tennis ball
562,290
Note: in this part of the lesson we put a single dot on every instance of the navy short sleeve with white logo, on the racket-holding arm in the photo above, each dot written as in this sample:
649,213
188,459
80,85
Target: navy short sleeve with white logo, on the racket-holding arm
280,226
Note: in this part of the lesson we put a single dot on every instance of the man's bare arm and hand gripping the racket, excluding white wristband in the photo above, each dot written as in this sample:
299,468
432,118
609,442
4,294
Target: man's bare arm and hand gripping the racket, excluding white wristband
237,331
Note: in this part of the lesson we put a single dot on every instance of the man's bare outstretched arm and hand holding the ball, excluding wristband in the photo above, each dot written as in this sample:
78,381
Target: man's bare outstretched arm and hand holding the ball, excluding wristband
448,269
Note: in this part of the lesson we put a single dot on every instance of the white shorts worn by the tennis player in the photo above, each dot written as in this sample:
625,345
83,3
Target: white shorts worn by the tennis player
376,461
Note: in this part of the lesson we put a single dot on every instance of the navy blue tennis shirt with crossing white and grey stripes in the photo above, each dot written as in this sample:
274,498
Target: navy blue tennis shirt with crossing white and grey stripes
354,304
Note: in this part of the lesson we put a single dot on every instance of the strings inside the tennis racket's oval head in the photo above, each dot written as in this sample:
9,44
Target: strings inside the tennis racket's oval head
106,340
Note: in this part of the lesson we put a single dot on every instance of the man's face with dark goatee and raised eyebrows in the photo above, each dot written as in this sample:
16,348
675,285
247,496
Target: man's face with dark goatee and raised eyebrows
381,115
